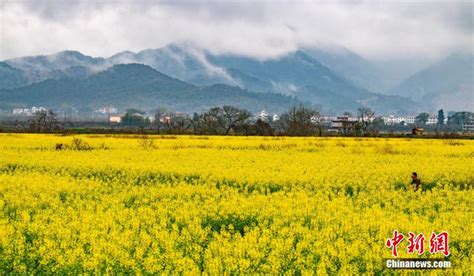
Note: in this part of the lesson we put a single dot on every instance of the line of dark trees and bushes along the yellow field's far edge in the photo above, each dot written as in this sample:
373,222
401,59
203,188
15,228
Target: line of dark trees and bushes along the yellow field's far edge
299,120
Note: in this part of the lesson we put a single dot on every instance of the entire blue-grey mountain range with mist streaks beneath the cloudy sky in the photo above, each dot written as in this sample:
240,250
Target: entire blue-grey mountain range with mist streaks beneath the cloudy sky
187,79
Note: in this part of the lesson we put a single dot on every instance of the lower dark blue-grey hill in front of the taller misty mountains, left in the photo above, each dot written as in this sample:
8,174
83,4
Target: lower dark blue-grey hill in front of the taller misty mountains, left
140,86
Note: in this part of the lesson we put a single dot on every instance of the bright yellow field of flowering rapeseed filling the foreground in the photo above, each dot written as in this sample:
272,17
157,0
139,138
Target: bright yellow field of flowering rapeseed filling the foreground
218,205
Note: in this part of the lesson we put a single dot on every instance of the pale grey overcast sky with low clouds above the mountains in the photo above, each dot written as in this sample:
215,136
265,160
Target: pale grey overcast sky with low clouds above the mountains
262,29
